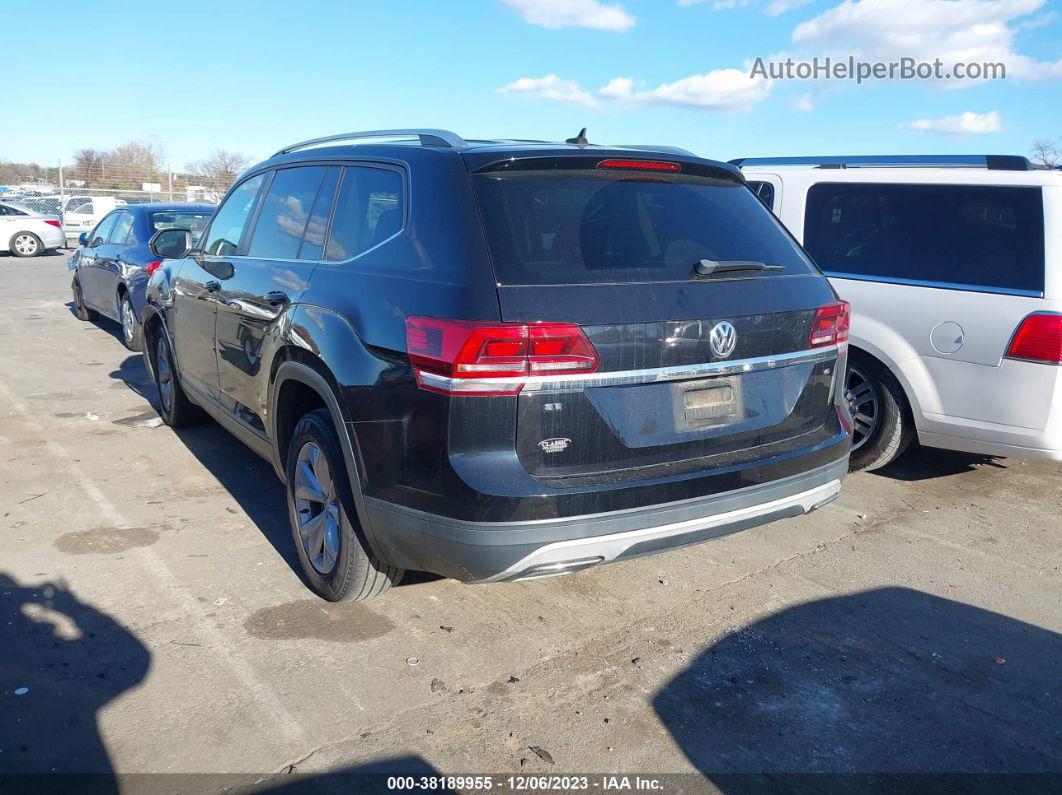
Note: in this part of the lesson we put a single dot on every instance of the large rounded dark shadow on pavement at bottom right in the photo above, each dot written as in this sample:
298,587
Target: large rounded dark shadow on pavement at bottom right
878,684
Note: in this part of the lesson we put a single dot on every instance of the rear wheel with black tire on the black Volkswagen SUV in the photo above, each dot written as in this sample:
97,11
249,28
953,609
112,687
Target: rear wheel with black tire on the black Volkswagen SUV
355,573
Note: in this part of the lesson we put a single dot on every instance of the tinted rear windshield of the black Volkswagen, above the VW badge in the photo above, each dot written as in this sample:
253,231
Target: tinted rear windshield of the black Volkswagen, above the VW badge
588,227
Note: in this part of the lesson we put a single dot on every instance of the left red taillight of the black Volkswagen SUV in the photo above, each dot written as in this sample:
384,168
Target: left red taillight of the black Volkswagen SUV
473,358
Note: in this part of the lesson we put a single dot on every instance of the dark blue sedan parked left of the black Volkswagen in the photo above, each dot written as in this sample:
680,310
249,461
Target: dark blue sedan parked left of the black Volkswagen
113,264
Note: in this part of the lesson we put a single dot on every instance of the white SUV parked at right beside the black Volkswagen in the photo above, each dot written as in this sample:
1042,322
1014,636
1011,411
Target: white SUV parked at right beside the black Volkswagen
953,266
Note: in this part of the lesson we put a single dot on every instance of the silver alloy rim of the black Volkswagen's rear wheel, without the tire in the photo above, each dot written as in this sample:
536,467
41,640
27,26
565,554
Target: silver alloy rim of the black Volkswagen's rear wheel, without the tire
317,508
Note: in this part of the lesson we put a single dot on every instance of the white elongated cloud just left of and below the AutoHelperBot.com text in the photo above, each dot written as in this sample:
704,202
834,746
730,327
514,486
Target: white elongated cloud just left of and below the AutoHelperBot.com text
721,90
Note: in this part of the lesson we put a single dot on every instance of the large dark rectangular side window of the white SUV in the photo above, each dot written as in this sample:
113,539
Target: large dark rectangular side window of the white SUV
949,235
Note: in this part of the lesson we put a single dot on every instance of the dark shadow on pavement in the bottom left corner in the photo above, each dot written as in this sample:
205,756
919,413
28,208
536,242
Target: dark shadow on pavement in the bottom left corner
62,661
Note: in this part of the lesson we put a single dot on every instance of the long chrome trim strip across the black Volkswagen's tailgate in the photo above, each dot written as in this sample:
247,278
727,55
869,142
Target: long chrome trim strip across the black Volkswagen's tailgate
655,375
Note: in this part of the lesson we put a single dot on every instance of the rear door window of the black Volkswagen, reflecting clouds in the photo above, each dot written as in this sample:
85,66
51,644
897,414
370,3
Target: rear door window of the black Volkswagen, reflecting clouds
285,213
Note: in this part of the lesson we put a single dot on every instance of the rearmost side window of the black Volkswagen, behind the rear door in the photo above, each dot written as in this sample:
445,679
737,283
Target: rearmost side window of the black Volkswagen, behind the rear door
370,209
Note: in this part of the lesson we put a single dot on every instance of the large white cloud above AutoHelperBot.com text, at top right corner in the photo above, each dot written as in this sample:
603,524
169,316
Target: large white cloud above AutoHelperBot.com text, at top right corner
968,31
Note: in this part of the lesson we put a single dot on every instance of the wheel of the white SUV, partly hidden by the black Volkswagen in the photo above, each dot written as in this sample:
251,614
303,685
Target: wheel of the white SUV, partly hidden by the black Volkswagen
882,424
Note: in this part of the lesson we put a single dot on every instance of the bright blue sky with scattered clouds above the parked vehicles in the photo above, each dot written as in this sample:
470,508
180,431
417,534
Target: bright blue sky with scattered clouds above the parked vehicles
252,77
